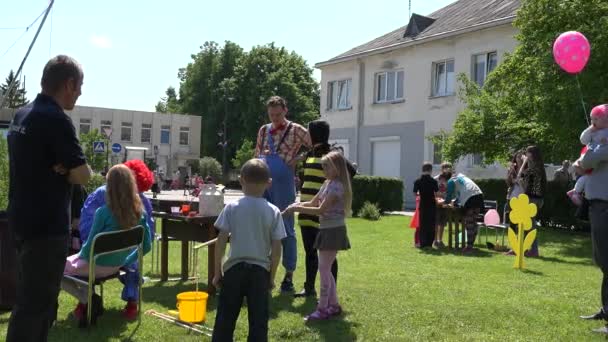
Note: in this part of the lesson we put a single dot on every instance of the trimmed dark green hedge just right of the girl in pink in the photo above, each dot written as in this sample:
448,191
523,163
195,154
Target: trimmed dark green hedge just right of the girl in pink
386,192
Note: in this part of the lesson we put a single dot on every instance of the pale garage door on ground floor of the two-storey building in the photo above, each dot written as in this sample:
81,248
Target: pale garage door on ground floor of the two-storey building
386,157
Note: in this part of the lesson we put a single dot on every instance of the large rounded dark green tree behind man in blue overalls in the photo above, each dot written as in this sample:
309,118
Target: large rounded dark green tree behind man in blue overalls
226,83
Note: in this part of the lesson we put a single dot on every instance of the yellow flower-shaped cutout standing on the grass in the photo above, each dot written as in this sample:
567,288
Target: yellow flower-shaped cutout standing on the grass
522,212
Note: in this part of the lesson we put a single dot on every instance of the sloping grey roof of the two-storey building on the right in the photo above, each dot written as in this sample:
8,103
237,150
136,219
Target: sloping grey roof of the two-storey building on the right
458,16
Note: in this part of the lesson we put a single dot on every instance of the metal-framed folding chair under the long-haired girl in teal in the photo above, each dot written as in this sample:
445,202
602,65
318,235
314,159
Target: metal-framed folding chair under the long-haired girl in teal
108,243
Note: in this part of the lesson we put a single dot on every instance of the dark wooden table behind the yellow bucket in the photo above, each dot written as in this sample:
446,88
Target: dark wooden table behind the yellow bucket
186,229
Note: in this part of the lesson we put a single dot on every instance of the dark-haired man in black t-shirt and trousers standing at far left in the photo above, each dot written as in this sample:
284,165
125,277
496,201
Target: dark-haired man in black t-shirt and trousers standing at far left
45,160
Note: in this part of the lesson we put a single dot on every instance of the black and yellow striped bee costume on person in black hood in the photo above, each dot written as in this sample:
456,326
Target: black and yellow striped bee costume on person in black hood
313,180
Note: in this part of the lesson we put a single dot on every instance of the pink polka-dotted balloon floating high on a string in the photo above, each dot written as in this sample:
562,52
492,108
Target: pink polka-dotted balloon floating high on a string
571,51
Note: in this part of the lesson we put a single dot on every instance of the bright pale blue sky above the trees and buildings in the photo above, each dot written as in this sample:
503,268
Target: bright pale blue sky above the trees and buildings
131,50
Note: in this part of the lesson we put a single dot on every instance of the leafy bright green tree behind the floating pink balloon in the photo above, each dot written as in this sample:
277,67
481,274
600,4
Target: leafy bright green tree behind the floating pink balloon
528,99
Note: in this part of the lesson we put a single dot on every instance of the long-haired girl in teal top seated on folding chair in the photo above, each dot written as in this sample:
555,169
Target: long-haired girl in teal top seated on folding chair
123,210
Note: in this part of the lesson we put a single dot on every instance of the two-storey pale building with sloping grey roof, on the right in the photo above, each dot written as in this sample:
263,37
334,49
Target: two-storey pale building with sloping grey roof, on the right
384,98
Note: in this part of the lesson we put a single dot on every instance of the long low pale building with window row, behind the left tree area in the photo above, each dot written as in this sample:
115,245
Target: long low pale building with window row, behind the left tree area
170,139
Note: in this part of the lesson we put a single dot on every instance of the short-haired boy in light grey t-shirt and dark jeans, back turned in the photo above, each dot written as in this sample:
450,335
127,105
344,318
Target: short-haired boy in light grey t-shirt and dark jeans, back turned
255,228
